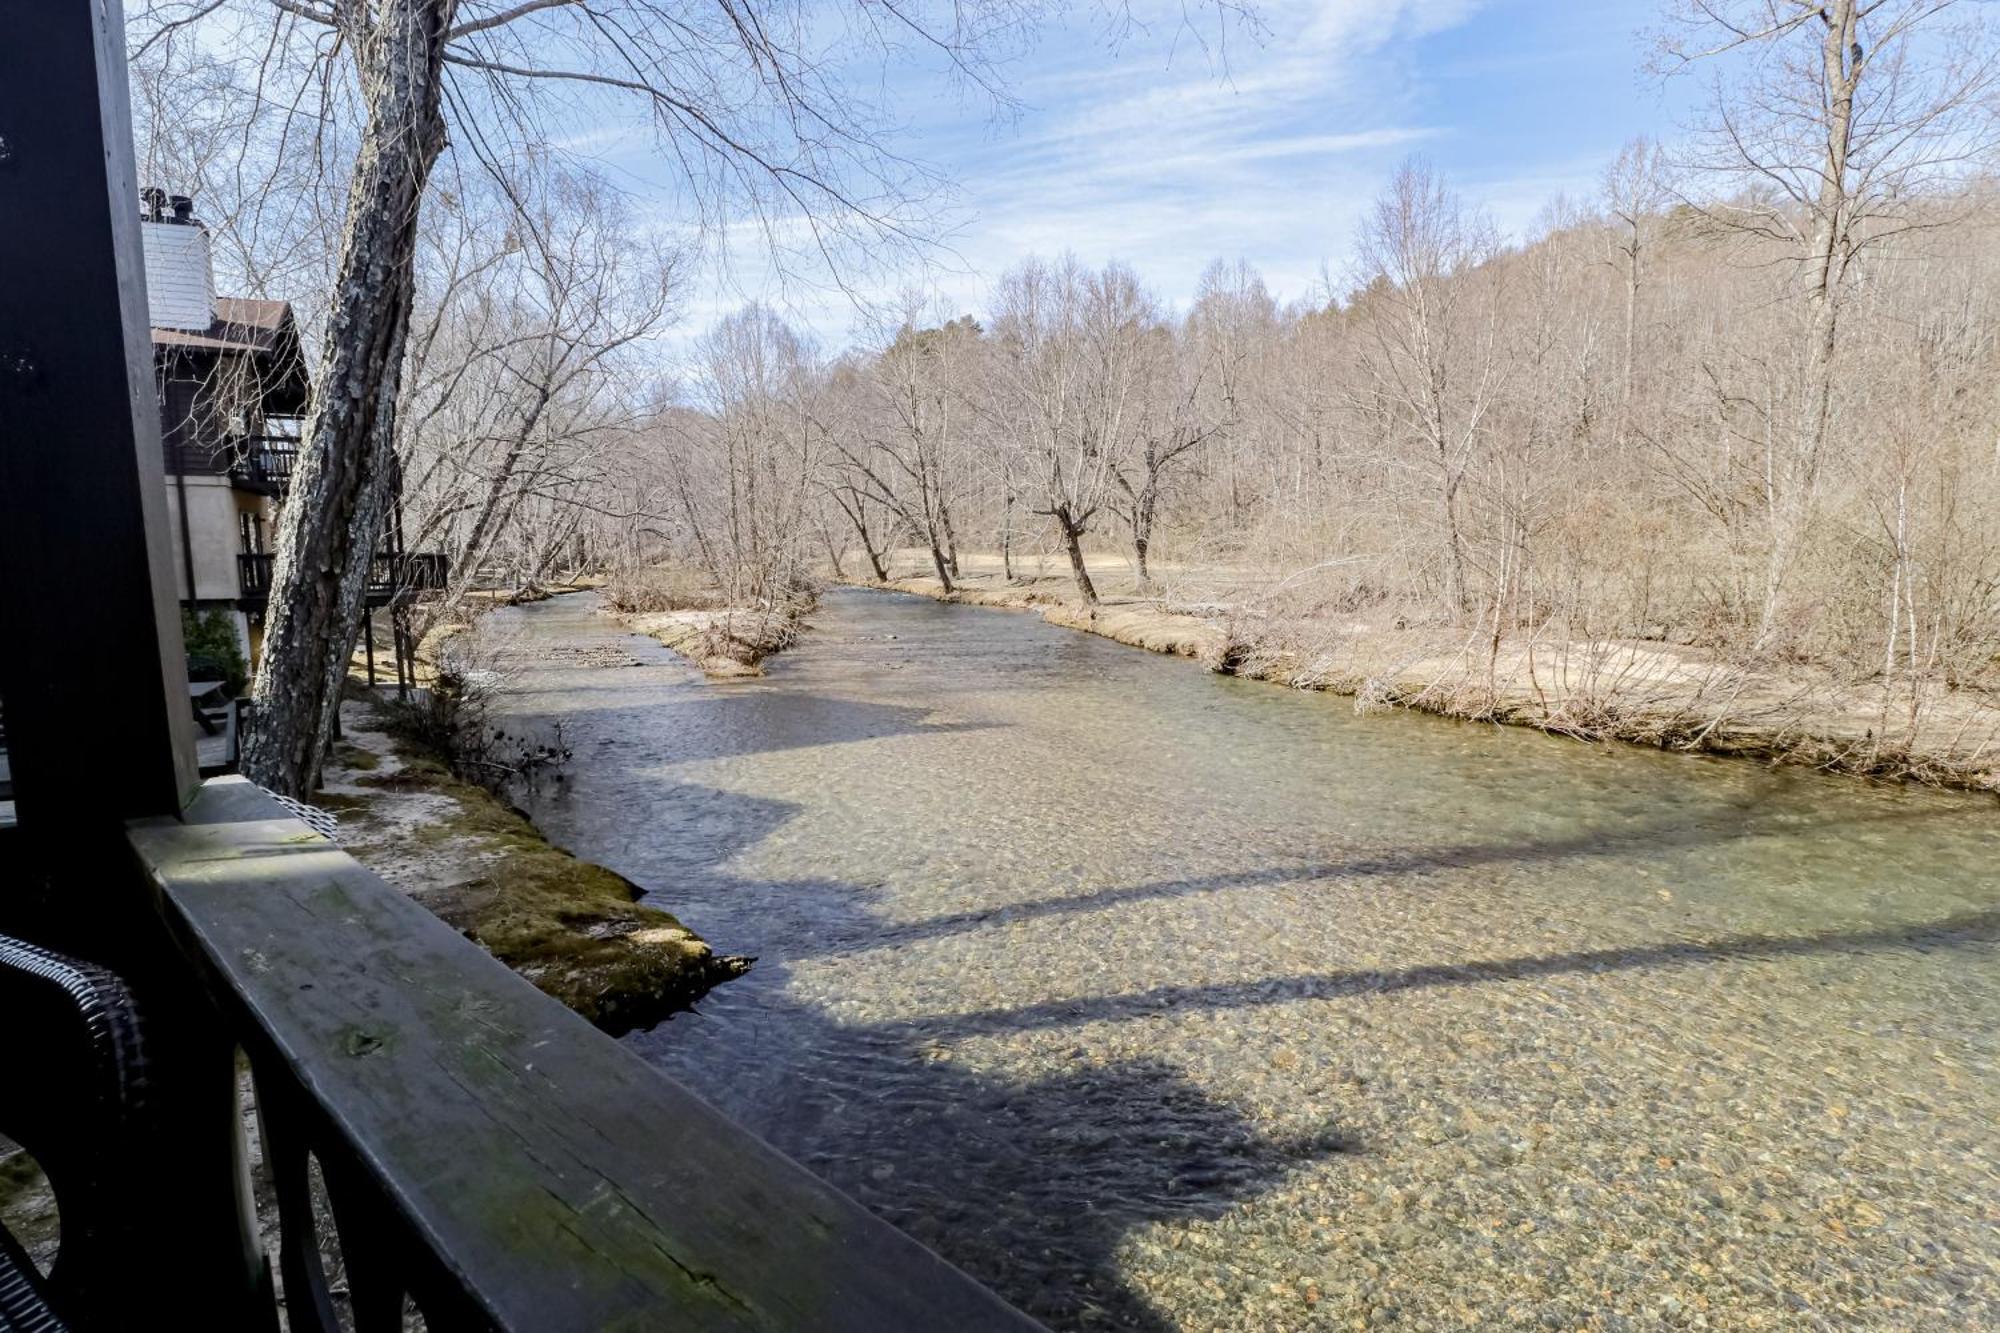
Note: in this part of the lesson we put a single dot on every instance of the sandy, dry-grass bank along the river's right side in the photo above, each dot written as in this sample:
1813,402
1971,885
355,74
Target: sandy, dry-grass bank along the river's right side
1645,694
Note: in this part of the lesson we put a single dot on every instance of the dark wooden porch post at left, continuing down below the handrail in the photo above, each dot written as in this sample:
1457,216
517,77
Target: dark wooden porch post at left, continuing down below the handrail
93,670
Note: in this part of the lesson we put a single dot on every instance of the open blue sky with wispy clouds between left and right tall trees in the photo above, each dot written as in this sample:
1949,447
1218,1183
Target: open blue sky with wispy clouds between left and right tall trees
1155,151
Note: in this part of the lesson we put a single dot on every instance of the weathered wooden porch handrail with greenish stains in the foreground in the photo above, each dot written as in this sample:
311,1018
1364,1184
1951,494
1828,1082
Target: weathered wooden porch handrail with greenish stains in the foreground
489,1152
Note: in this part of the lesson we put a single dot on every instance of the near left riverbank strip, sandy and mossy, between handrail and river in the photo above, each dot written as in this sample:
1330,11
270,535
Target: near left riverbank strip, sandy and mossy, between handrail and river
571,928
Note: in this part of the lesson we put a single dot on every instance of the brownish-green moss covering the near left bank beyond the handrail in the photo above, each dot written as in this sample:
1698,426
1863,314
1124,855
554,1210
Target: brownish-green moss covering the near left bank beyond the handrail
571,928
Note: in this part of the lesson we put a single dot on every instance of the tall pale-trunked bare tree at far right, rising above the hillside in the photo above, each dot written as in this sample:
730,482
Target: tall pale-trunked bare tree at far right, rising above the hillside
1843,119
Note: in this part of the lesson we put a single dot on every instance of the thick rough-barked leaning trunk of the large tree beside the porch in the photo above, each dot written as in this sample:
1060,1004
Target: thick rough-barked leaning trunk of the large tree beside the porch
347,465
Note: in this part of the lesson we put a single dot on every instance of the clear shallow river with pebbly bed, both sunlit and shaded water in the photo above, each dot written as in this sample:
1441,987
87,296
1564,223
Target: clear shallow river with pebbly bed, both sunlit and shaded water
1173,1002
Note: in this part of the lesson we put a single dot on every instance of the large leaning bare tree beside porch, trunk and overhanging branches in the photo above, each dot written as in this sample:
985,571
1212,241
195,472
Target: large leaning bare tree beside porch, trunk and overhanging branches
745,107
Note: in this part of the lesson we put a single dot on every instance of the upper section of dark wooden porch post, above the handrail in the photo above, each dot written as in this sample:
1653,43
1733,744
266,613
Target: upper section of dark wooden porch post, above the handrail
91,659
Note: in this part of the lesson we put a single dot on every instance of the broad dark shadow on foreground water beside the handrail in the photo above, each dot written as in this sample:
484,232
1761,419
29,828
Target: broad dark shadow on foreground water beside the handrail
1029,1186
